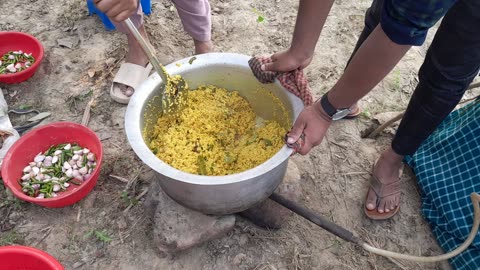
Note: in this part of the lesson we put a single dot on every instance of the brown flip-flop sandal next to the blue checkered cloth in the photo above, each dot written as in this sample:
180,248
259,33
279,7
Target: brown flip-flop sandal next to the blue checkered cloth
382,191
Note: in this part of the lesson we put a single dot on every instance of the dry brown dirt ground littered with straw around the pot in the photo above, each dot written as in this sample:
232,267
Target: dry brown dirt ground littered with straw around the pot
109,229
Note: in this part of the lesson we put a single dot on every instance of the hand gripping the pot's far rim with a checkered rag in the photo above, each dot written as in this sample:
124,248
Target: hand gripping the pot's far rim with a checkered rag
288,60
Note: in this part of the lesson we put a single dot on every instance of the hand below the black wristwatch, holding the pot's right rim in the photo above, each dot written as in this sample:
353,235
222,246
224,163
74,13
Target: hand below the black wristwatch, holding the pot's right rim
311,126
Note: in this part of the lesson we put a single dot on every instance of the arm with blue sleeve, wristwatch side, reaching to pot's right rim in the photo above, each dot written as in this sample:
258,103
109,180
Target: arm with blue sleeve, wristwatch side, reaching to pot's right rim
403,24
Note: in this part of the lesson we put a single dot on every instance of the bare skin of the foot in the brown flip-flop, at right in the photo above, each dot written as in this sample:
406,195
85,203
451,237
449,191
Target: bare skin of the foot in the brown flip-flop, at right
387,170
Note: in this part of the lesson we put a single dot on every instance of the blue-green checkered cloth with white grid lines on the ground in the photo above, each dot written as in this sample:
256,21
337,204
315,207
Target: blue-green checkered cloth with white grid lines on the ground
447,166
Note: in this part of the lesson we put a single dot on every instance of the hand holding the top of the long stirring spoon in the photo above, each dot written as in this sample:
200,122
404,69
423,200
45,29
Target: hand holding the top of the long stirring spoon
117,10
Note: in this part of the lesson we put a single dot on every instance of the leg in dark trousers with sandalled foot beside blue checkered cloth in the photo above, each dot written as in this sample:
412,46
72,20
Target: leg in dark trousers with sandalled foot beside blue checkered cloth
451,63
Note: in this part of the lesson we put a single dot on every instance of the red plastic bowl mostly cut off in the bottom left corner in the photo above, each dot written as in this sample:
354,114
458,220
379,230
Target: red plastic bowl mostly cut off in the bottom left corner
27,258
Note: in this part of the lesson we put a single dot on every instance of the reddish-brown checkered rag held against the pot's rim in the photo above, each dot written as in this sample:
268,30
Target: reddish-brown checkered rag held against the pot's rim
293,81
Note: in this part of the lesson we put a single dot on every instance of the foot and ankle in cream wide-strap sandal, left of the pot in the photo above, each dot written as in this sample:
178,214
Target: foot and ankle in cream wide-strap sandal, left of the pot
131,73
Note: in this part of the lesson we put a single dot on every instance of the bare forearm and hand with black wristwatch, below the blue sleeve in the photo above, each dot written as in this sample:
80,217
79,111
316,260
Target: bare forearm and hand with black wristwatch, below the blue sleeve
374,60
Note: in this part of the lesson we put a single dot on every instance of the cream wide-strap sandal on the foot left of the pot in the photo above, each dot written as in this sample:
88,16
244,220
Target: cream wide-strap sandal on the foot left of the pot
131,75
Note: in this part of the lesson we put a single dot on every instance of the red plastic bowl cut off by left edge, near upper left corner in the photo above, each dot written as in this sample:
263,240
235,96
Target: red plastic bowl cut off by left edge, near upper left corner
15,41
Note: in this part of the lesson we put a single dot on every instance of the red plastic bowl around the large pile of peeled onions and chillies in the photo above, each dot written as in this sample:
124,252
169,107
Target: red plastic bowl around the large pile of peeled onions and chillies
39,140
